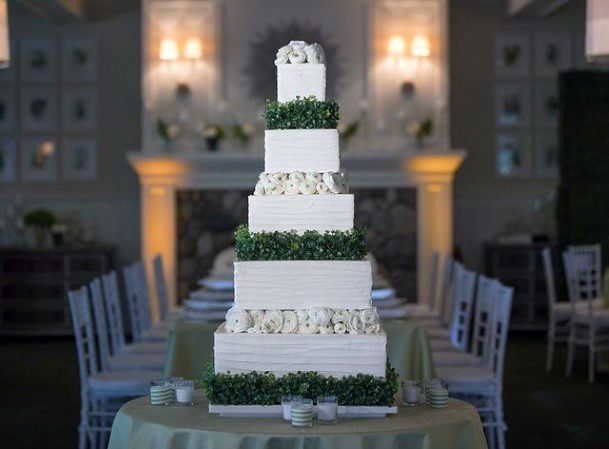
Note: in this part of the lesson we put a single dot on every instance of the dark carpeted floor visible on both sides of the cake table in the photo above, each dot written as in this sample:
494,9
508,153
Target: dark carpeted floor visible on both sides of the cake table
39,406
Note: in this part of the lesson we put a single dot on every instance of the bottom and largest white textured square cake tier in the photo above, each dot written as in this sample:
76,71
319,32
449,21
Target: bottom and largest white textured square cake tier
336,355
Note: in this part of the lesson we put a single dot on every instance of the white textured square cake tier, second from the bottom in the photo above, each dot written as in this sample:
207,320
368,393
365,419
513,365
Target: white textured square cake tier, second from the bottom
302,284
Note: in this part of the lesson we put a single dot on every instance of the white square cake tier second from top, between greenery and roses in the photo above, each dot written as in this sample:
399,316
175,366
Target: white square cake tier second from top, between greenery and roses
306,150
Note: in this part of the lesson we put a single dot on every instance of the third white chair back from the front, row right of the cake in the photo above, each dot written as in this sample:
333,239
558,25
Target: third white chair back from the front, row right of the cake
463,287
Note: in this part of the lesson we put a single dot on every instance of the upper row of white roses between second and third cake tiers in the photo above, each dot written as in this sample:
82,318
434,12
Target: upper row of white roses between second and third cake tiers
301,183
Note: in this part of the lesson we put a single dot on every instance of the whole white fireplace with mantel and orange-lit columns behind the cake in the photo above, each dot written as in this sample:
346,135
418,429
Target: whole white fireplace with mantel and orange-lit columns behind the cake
409,188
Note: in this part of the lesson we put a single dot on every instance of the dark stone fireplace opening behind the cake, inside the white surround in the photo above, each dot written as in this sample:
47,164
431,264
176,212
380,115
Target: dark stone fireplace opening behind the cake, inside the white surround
206,221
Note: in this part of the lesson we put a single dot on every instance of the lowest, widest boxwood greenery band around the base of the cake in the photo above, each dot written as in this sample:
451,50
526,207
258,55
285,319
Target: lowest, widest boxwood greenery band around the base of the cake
266,389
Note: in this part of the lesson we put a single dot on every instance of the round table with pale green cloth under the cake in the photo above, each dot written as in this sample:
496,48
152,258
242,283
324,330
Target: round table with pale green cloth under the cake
140,425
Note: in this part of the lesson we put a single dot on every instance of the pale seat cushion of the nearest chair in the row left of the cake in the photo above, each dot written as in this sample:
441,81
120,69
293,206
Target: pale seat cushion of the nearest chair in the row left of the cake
134,382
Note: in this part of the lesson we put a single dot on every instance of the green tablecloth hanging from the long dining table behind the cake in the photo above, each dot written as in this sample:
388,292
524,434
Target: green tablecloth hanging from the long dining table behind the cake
190,347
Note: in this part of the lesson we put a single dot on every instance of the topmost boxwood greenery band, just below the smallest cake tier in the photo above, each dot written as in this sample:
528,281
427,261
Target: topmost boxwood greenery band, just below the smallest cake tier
302,113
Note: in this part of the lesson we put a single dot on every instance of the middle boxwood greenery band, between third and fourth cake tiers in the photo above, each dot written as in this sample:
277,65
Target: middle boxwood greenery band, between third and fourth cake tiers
311,245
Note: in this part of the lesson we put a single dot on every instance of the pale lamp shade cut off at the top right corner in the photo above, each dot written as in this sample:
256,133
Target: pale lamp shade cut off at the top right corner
597,31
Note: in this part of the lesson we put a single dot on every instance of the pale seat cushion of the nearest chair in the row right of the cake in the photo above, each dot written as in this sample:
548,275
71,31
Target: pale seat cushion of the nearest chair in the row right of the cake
467,379
